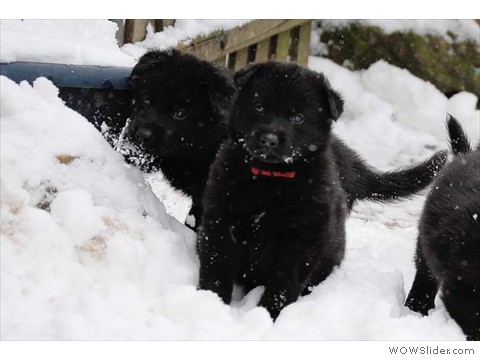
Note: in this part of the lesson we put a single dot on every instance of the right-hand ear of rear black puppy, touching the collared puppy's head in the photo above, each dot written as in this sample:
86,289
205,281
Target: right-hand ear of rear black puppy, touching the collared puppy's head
222,93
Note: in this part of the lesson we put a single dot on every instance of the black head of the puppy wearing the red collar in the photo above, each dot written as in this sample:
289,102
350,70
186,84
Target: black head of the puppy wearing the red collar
283,112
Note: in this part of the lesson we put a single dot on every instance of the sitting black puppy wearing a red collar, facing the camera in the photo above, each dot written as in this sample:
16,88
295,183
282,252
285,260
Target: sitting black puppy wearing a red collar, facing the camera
274,209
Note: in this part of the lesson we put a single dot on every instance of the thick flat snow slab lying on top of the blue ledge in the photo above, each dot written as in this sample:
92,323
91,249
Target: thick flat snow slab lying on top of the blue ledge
81,42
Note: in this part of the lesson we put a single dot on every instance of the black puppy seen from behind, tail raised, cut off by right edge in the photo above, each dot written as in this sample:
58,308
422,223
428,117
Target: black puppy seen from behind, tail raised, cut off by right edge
448,246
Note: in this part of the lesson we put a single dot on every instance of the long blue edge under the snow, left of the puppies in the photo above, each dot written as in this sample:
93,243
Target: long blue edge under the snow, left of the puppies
71,76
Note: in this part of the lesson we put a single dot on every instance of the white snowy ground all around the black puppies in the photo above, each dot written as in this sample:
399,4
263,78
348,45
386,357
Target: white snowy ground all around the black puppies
88,251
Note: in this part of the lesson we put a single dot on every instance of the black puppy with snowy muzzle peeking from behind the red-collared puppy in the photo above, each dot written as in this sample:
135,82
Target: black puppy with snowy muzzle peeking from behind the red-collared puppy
177,120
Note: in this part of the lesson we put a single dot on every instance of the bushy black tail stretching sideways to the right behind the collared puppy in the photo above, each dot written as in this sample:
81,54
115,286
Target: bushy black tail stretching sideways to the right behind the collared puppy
401,183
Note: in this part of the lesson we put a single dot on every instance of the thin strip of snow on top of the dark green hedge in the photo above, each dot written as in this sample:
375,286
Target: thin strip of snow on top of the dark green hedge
464,29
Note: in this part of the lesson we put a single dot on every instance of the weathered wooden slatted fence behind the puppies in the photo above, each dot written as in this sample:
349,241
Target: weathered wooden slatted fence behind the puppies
256,41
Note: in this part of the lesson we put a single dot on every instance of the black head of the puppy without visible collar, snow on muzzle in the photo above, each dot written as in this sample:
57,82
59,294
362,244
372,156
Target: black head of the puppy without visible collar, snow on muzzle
180,103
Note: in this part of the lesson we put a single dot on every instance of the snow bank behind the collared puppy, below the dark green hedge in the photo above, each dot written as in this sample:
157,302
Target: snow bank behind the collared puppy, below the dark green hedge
401,118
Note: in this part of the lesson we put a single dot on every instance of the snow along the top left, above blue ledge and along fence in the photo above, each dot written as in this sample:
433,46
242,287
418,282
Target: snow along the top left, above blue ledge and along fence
95,42
